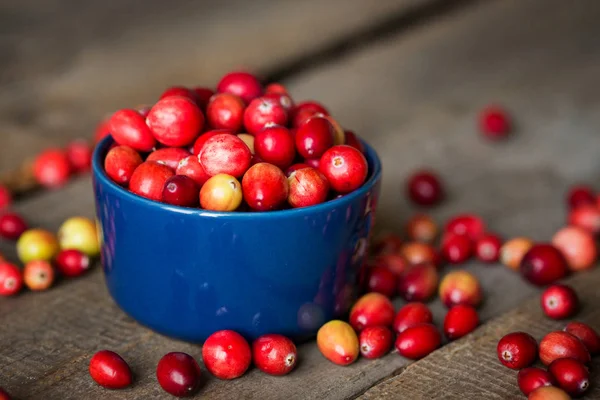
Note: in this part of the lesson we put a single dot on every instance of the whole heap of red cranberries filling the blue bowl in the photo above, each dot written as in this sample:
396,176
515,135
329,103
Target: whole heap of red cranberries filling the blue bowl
242,147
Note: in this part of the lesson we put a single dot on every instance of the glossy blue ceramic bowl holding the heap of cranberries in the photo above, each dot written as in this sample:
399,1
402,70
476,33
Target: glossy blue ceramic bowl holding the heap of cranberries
187,273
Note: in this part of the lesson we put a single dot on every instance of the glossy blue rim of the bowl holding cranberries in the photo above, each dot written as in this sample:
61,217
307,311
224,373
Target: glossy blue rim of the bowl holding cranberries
99,174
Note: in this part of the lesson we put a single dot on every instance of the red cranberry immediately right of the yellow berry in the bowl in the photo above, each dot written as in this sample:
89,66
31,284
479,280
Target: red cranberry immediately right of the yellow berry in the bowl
265,187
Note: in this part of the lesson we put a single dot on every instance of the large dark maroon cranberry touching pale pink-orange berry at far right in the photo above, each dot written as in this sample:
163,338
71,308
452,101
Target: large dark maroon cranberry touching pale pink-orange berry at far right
543,264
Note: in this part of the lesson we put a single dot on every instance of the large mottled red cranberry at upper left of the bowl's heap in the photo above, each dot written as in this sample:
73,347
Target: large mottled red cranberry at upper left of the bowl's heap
175,121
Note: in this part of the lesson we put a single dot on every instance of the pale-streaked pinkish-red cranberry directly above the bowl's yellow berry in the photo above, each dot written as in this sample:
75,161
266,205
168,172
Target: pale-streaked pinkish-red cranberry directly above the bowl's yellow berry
225,154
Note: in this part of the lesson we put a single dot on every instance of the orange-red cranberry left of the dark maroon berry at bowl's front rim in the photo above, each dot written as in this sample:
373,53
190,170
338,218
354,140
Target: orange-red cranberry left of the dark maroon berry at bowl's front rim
149,178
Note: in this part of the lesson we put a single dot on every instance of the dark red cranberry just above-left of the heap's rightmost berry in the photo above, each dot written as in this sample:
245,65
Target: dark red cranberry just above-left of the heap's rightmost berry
314,137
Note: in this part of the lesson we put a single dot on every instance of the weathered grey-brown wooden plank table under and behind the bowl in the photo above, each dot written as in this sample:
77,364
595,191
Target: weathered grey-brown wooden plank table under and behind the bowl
408,76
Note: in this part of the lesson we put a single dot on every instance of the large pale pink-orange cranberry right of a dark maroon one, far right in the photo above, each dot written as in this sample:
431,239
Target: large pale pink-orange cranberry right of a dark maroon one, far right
578,246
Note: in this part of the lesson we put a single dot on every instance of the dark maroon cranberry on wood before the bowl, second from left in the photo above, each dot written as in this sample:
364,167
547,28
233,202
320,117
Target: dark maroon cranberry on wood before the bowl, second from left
178,374
